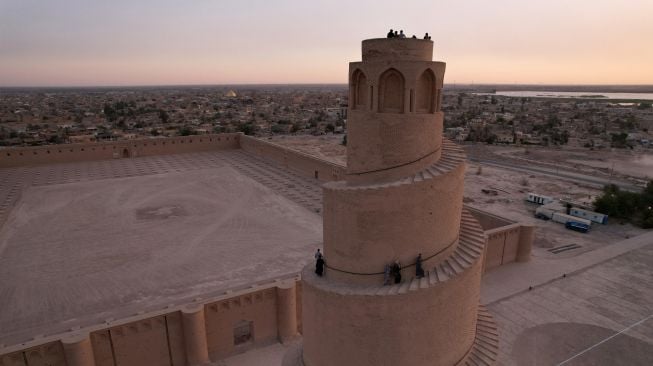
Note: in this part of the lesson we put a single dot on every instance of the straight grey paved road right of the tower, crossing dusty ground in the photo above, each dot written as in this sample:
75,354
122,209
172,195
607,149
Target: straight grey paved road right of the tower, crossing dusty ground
559,173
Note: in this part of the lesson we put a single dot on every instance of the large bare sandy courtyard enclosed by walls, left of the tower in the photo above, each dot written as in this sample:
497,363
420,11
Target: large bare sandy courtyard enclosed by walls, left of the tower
78,252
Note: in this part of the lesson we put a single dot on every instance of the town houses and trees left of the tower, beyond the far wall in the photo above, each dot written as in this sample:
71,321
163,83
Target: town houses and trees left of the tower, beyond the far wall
40,117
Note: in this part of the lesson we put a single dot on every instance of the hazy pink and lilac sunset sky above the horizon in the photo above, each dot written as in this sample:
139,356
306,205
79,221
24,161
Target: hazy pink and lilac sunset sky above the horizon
156,42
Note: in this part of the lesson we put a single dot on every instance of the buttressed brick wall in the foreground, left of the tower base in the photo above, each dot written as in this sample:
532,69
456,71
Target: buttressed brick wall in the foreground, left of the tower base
189,334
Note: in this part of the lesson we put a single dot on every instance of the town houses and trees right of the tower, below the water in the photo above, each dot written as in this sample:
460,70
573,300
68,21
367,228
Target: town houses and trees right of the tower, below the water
544,121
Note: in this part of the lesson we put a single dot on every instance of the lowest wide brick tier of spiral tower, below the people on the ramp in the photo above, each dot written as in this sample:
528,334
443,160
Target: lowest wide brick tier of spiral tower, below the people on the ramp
421,321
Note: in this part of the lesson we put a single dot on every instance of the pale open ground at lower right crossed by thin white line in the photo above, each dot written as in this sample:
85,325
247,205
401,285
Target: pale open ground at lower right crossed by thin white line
601,315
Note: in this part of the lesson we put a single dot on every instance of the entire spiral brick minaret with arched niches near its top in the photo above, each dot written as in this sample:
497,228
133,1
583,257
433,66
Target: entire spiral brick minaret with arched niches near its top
402,196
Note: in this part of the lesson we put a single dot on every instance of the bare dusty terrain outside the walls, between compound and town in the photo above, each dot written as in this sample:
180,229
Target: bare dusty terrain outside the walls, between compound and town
511,186
